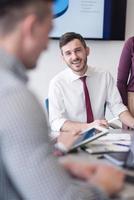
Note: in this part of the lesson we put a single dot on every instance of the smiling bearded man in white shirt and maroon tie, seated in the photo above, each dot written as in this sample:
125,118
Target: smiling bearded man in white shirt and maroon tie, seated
68,109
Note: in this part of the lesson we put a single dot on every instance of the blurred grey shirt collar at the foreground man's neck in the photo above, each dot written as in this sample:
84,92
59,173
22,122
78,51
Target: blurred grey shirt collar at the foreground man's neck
11,63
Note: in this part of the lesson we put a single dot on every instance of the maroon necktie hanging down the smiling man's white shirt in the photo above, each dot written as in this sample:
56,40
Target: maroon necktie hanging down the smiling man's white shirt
90,117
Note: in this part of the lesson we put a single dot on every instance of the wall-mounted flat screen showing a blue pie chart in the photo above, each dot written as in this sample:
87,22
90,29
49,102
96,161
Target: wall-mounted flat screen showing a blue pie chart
93,19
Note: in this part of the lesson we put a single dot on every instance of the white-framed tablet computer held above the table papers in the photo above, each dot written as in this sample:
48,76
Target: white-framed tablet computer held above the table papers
88,135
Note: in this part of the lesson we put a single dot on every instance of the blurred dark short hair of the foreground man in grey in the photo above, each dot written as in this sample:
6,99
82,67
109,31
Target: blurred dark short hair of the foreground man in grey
12,11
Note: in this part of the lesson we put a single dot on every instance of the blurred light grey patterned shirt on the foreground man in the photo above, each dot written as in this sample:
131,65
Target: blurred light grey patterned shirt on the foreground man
27,168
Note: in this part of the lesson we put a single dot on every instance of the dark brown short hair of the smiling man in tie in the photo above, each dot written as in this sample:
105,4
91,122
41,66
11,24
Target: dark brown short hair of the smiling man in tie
69,36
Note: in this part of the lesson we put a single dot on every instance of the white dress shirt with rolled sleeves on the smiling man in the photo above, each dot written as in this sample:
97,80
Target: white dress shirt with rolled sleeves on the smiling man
67,101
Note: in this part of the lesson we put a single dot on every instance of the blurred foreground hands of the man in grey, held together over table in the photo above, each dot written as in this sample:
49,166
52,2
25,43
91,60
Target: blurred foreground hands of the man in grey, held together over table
104,176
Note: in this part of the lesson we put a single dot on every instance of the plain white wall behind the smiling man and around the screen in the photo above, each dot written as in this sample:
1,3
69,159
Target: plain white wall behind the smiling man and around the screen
104,54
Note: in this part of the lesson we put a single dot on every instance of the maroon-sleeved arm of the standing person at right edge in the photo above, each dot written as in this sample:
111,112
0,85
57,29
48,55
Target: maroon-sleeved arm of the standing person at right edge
124,70
